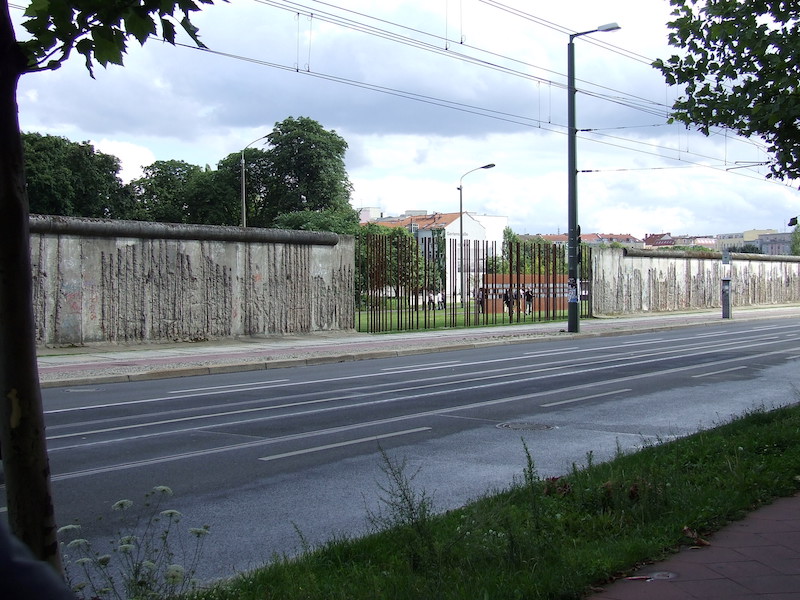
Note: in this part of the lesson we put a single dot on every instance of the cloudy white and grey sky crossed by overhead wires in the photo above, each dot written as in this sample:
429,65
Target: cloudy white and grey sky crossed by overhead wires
488,83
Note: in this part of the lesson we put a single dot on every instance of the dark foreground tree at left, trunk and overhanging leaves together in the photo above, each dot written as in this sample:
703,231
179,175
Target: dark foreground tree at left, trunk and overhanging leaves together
99,31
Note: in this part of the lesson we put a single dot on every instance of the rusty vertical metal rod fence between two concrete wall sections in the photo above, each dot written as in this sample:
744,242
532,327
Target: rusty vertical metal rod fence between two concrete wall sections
407,284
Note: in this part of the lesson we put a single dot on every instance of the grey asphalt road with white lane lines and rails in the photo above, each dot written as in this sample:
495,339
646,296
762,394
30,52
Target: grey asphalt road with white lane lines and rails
262,455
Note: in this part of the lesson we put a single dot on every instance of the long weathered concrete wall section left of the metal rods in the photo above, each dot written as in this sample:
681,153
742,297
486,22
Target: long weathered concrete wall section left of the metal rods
130,282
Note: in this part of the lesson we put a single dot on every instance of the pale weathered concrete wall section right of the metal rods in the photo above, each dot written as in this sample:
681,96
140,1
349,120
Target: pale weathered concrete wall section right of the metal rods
634,281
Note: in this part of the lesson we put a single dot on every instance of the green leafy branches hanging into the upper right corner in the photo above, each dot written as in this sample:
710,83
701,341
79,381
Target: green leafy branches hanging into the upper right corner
740,71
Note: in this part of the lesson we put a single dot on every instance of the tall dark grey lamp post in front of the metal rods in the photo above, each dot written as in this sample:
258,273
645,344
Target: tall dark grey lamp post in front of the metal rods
573,291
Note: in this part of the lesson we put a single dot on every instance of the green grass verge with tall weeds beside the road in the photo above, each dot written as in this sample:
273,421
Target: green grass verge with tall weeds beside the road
547,538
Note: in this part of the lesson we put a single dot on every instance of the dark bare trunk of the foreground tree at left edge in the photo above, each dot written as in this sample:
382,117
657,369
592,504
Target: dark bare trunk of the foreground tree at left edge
22,437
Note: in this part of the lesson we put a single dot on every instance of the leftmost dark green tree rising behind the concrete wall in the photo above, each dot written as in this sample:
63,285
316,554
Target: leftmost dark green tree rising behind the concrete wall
71,179
